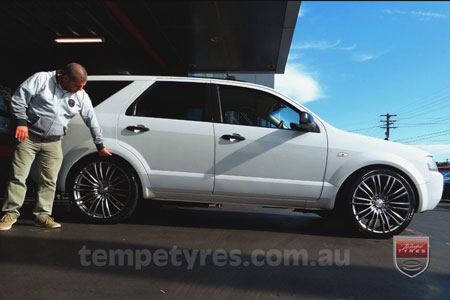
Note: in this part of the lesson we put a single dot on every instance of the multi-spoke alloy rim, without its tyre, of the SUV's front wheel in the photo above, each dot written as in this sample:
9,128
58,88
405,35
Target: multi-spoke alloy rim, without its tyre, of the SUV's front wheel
382,203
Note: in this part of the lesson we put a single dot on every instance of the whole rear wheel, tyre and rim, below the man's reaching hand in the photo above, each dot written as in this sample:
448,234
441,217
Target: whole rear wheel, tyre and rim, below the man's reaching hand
103,190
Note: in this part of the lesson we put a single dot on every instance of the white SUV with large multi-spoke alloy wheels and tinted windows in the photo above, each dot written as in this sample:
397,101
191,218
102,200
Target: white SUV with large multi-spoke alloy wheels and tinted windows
211,141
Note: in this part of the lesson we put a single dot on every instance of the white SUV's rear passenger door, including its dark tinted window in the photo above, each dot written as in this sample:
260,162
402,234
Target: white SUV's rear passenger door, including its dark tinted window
169,126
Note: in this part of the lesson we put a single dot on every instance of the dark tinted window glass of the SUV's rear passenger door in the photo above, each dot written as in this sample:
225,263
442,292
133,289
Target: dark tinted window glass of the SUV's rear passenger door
172,100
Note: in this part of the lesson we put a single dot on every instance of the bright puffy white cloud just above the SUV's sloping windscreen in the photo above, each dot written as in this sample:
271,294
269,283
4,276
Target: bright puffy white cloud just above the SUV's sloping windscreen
297,84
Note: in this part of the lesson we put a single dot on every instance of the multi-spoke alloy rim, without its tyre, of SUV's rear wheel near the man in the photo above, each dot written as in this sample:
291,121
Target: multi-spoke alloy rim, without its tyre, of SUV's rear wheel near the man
102,189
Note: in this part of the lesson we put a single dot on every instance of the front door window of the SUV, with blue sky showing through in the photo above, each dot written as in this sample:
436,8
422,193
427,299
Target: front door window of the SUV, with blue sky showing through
243,106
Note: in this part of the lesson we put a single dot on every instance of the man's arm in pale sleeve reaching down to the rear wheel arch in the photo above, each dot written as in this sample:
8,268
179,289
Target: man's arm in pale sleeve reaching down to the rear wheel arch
88,115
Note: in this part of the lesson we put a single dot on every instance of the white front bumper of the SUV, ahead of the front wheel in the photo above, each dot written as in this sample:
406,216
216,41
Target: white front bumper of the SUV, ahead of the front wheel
430,192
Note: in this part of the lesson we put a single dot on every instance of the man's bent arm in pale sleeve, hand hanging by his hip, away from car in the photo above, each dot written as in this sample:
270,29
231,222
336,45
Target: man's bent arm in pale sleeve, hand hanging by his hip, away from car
20,101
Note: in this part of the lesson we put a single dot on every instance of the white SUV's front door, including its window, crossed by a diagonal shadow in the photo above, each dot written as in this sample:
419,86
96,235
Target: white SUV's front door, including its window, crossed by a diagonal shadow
255,158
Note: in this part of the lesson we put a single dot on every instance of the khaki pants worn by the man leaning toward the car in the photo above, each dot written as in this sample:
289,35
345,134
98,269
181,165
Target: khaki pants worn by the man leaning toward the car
48,157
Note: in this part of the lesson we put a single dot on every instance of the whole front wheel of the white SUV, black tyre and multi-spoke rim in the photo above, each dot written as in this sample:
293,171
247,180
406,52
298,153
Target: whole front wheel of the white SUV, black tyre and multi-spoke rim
379,203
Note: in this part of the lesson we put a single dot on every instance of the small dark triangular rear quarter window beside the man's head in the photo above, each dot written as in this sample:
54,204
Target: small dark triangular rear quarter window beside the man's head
99,91
